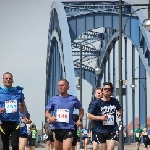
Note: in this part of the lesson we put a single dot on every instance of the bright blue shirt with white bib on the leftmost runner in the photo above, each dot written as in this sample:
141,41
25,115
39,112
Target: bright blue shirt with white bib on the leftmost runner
9,100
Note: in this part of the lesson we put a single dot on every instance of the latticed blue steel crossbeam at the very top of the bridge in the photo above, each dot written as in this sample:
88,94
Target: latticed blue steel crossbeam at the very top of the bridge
76,8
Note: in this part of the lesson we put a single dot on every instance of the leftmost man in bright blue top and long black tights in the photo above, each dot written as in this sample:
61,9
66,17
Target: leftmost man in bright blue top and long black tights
10,97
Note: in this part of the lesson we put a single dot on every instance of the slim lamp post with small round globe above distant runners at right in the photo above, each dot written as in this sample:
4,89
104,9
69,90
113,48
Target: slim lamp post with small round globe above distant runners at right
145,89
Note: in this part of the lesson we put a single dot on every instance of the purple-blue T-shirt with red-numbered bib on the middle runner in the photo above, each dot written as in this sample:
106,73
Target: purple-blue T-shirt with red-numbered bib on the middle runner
62,108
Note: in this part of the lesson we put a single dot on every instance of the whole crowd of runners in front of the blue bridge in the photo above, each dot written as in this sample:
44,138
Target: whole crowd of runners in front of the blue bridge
63,129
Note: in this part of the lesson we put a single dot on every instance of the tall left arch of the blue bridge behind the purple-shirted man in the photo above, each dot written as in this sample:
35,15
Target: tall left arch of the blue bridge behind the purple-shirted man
59,29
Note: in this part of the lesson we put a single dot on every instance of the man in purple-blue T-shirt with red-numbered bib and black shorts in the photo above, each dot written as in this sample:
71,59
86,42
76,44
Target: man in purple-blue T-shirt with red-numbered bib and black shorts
60,112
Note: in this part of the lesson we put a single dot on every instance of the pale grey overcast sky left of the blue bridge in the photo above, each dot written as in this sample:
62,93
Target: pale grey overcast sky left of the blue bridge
23,46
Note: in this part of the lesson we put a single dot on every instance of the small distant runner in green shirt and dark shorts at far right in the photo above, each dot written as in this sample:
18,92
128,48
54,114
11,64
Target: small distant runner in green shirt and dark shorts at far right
137,133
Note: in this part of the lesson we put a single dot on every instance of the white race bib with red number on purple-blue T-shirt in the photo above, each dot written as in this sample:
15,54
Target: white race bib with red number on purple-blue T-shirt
62,115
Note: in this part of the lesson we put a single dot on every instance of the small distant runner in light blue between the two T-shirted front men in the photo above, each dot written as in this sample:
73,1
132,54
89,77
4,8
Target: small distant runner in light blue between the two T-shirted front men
84,133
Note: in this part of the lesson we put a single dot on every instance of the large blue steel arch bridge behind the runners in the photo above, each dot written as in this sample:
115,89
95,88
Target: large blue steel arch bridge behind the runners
95,25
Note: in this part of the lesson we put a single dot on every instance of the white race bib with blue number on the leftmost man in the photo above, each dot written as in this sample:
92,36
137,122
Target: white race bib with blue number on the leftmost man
11,106
